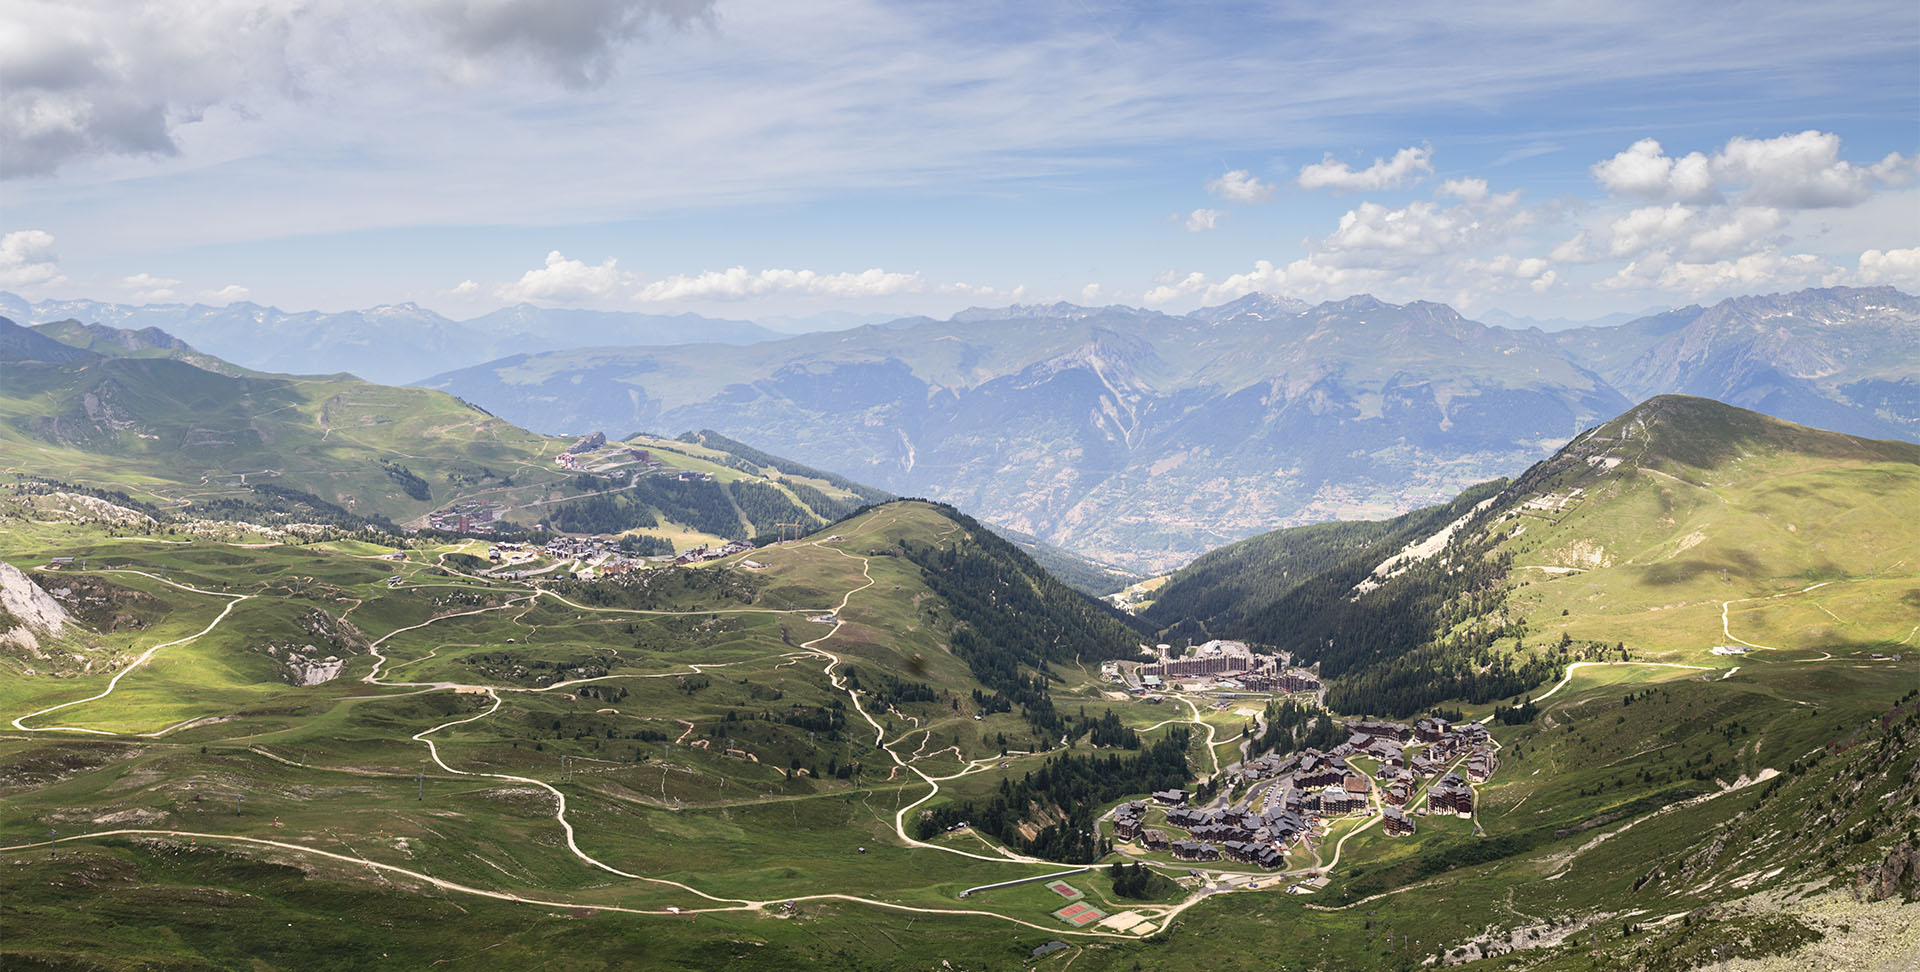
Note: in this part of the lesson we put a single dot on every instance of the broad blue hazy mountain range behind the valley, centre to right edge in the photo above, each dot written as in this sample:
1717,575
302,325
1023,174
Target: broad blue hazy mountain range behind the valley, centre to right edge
1145,439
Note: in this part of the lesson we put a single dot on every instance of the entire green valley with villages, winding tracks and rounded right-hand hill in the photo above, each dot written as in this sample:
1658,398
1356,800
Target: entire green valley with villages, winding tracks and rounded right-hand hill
1589,704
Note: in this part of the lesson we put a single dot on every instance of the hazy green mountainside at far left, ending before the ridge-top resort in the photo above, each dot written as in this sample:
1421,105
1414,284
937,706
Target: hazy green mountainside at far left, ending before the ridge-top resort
176,433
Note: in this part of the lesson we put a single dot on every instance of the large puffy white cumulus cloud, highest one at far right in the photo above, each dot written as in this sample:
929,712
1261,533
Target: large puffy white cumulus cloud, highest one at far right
1794,172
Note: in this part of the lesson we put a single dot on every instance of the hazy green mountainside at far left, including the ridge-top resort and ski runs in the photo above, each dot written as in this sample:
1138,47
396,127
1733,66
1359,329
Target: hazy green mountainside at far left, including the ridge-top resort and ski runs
147,416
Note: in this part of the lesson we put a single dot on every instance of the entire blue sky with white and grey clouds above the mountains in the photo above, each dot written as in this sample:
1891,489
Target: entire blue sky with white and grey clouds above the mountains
754,158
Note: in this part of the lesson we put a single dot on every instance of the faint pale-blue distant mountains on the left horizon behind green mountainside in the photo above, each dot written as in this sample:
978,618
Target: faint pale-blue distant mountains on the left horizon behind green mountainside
391,343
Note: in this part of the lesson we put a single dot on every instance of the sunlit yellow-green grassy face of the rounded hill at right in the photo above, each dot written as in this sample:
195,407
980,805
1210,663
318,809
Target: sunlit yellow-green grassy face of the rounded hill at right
1689,525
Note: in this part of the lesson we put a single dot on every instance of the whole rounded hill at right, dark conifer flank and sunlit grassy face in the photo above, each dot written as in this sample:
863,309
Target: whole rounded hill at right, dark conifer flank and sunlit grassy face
1677,500
